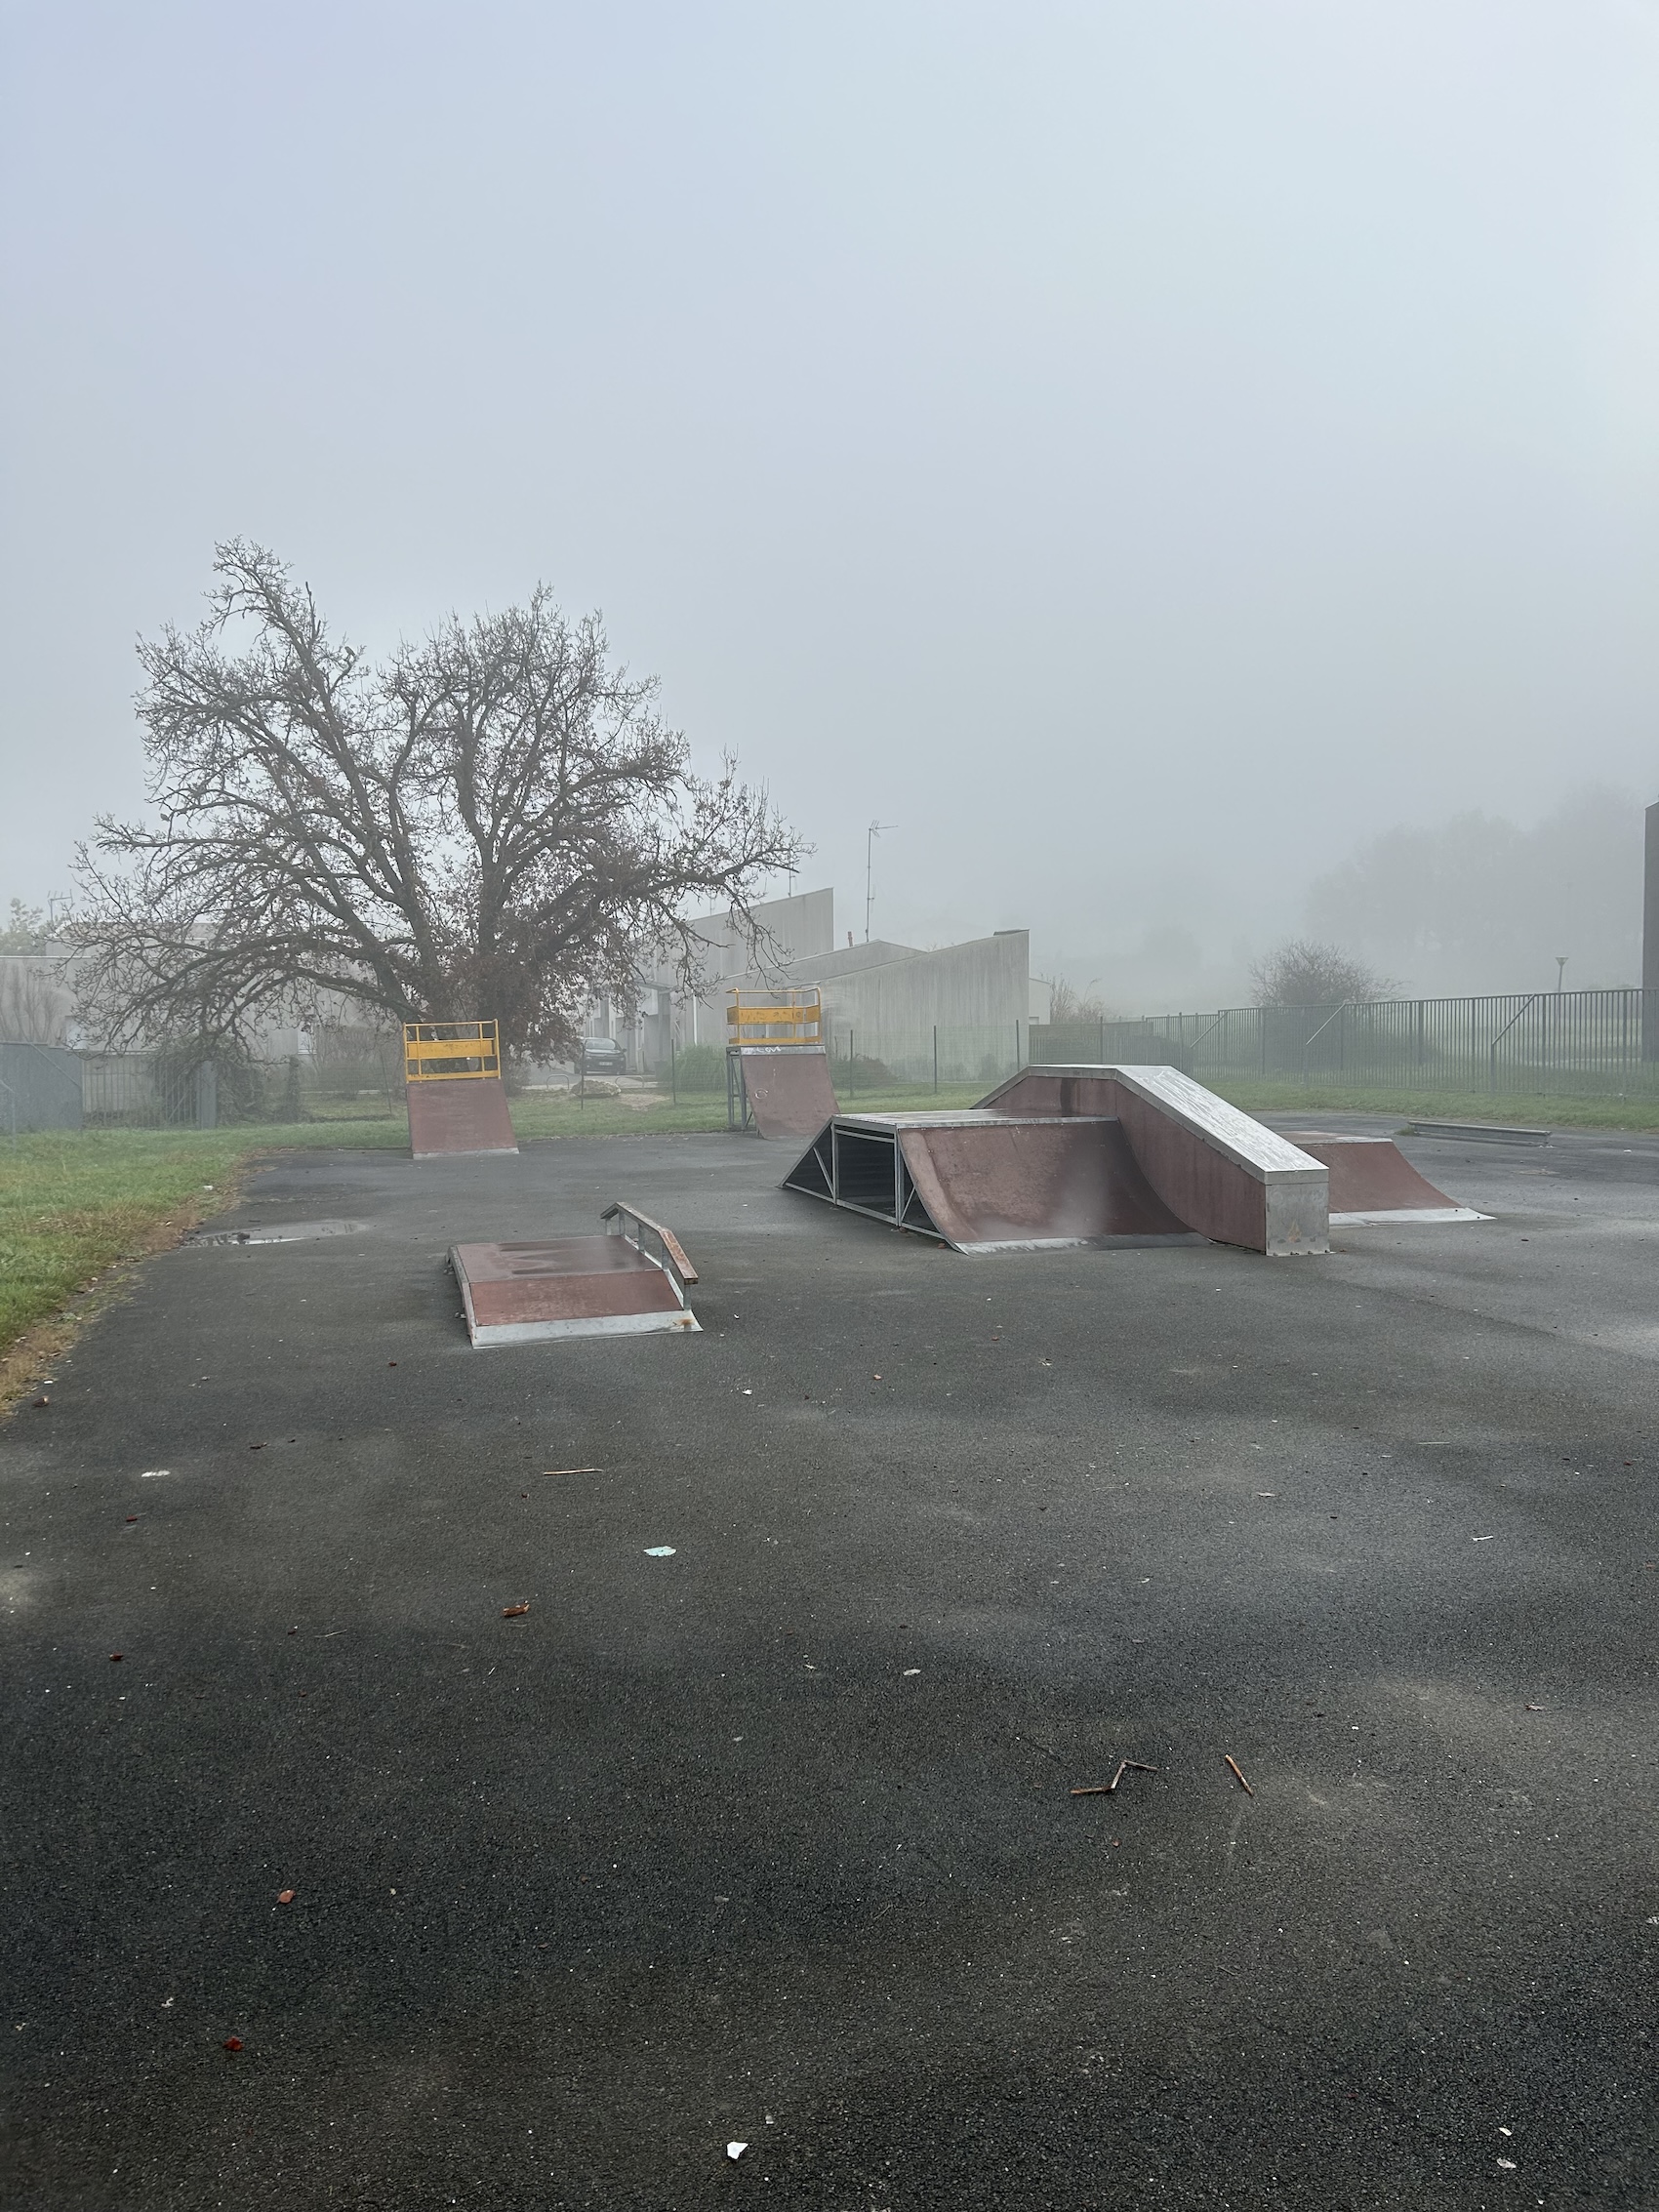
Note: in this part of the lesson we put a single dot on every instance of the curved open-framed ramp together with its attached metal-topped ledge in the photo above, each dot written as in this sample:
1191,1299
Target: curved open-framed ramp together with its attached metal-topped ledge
1081,1156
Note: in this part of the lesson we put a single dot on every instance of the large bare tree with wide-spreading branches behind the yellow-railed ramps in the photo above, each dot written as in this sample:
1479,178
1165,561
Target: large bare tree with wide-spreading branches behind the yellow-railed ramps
490,824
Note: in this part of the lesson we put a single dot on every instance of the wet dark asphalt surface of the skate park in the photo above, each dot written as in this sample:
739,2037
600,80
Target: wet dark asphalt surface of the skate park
773,1841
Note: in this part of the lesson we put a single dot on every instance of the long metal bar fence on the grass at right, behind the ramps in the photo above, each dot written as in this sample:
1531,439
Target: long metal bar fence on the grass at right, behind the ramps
1521,1043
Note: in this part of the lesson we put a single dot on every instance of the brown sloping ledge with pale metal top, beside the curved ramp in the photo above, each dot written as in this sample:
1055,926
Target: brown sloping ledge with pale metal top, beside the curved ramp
1218,1169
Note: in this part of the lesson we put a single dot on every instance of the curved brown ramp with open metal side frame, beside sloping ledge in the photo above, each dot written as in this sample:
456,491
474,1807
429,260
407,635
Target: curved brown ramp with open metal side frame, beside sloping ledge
990,1182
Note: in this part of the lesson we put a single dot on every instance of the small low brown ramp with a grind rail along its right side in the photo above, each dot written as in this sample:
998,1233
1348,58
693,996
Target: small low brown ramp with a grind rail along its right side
574,1286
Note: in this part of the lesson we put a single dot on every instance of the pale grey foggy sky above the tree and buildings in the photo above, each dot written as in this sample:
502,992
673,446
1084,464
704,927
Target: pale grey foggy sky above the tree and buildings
1145,455
